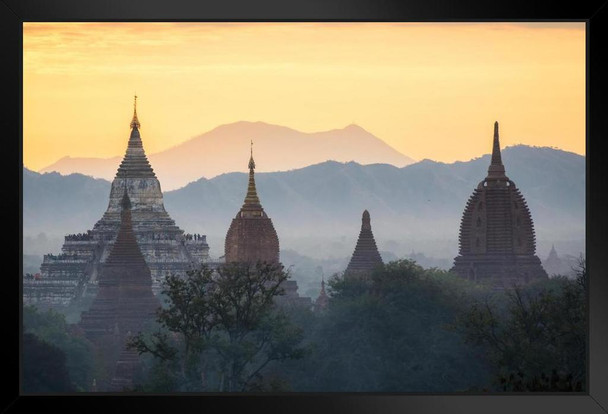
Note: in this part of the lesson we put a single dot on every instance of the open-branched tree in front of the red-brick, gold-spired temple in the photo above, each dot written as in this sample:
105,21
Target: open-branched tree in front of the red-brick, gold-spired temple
223,327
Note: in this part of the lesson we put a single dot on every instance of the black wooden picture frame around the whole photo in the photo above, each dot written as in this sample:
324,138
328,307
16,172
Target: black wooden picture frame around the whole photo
13,13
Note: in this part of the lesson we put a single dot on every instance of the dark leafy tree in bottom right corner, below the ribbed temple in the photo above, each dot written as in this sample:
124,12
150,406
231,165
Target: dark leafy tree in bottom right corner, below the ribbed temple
538,343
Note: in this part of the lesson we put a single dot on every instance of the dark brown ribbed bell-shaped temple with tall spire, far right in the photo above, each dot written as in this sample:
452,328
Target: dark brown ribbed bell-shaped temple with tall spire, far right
497,240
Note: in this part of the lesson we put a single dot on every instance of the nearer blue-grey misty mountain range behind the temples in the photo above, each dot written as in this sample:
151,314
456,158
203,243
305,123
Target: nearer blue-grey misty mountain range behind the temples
416,205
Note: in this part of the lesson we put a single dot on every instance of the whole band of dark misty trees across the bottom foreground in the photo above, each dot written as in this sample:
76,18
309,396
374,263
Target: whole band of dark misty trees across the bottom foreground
401,329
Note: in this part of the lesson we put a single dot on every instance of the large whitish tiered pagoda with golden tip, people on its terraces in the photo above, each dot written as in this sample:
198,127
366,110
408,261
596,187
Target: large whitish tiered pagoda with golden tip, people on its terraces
165,248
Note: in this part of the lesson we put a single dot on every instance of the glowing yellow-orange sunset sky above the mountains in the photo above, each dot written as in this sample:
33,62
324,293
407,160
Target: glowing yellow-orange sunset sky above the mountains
429,90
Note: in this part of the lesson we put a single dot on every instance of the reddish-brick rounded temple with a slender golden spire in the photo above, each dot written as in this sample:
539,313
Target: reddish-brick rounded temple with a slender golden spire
251,236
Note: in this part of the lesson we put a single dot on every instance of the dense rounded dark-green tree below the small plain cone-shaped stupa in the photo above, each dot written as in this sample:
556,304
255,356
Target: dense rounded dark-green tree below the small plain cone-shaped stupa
388,333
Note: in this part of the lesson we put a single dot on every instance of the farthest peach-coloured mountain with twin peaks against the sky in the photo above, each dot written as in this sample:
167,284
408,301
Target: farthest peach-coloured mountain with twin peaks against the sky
226,148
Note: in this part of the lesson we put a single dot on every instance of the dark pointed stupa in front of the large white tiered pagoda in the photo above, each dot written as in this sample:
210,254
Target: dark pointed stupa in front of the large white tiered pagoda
124,303
